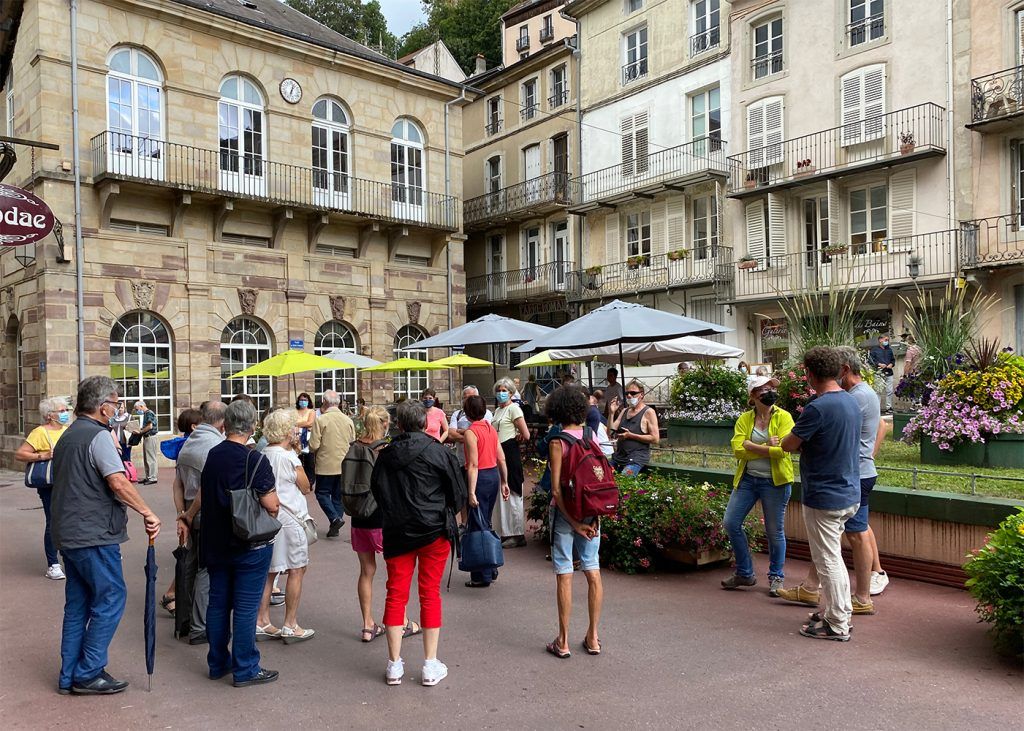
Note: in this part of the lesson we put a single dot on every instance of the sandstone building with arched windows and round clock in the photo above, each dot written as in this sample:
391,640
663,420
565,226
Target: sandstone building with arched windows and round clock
251,182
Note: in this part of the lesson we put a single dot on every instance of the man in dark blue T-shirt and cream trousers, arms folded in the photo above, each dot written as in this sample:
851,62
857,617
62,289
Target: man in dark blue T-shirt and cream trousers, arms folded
828,437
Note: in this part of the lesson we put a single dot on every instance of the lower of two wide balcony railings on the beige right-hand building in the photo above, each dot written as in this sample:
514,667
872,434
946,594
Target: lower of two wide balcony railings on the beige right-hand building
885,263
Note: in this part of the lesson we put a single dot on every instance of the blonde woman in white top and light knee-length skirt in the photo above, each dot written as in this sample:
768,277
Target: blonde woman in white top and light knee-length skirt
291,549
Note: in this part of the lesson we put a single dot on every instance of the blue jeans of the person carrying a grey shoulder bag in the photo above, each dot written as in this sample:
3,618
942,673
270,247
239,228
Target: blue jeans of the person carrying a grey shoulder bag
236,589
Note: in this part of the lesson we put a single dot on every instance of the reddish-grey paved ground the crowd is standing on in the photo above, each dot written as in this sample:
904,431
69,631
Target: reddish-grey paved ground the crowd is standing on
679,654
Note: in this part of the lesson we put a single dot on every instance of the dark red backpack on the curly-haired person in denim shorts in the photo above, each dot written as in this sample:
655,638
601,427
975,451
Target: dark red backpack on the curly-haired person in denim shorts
589,489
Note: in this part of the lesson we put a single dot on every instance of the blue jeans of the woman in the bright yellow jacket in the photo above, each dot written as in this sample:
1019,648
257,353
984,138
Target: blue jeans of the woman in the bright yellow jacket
774,501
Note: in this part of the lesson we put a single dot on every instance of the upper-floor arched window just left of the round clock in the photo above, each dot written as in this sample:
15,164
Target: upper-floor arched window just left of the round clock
243,136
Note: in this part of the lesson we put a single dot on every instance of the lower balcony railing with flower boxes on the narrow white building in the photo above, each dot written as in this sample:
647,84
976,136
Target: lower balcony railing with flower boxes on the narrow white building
698,267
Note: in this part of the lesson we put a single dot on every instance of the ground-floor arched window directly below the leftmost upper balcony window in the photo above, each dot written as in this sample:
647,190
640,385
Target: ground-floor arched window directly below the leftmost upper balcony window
142,364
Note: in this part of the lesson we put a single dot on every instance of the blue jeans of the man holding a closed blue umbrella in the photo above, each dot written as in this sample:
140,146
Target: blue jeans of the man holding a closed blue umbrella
95,601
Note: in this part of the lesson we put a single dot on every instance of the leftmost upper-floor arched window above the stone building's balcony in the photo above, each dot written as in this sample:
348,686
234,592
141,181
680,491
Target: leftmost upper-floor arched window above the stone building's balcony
135,114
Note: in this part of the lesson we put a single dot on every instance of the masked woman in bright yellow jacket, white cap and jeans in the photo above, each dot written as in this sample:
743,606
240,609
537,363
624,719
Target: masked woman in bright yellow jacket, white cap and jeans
764,472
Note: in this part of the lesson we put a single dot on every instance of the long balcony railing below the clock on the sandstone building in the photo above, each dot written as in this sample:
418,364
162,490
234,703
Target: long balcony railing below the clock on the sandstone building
233,176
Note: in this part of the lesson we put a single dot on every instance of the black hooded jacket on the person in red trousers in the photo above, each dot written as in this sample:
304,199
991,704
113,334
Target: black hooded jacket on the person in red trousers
419,488
